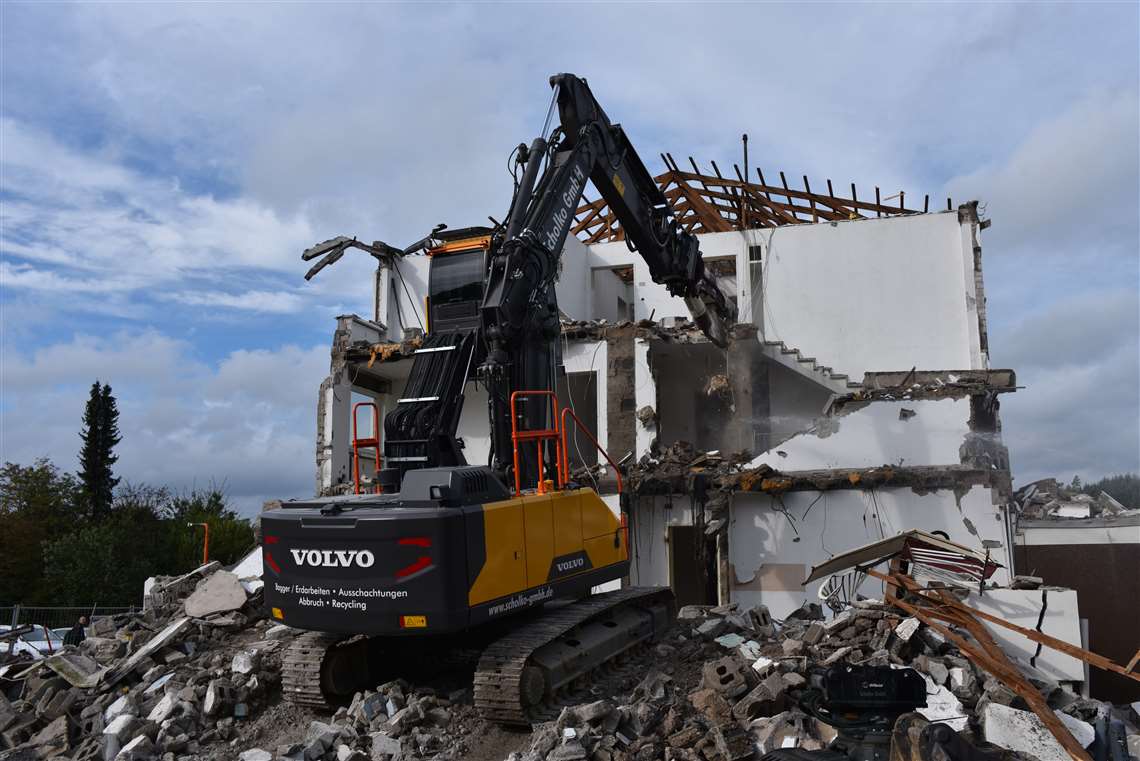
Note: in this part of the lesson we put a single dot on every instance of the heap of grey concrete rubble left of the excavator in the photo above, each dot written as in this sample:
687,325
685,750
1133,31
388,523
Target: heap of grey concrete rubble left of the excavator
174,682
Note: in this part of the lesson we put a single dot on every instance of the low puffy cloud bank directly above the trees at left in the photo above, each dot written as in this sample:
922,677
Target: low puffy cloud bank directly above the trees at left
248,423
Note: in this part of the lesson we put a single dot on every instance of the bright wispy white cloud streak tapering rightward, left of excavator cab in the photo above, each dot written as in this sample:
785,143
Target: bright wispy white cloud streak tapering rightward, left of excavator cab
83,217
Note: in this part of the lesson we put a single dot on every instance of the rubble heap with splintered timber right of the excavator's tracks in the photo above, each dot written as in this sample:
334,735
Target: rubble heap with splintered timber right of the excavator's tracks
731,681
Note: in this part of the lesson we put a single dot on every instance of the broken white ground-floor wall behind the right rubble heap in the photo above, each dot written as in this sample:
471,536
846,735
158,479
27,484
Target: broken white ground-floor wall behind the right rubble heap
773,542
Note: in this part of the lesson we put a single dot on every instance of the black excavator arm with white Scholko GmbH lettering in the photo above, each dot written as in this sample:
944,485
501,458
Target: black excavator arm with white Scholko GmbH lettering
520,320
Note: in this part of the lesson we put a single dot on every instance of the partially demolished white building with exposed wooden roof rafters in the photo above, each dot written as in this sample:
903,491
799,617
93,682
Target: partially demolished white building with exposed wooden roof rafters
854,402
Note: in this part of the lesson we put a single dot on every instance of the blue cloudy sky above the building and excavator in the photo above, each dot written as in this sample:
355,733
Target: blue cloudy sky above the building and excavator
164,166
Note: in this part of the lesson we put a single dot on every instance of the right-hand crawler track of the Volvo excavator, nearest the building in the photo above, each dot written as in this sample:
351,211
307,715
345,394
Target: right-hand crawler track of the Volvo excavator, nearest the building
509,686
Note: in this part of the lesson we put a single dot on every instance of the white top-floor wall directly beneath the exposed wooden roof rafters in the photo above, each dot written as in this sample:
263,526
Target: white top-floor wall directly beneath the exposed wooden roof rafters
862,296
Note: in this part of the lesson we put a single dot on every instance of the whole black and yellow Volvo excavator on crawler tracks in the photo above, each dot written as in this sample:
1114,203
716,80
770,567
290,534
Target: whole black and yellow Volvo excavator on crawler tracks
500,557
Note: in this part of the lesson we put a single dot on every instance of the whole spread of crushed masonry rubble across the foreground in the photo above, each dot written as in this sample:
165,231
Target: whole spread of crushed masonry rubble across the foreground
723,684
